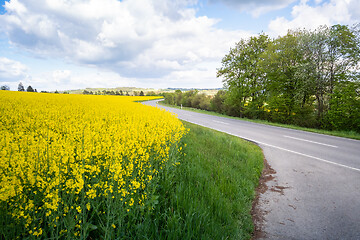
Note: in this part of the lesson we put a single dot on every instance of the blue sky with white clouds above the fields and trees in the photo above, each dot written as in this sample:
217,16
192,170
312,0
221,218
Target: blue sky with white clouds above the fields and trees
75,44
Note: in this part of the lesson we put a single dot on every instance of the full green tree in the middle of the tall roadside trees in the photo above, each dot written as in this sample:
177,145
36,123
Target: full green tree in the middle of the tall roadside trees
286,87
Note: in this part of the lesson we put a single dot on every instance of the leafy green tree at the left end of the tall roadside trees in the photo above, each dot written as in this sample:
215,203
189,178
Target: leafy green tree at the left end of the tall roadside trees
243,77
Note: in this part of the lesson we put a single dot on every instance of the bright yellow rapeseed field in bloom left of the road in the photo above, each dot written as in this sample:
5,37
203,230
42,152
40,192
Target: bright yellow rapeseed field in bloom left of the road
70,164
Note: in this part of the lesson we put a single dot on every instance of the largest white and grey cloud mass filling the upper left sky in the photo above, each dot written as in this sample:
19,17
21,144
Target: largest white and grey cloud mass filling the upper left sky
134,38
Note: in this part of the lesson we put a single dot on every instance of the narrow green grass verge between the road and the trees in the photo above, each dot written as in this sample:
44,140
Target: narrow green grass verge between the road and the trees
345,134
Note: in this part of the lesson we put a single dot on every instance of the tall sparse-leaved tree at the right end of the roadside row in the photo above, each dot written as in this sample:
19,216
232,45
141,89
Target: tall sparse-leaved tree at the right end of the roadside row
332,57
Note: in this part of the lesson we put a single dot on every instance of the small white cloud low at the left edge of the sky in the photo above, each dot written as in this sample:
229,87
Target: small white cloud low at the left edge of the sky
11,71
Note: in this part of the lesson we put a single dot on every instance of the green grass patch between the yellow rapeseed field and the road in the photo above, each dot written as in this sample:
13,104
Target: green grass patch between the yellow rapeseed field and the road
209,195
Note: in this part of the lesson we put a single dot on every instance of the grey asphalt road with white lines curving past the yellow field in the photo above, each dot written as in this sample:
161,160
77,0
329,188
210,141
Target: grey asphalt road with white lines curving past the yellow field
315,192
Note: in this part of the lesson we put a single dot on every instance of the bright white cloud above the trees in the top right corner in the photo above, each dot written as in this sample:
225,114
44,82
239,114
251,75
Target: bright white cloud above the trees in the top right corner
323,13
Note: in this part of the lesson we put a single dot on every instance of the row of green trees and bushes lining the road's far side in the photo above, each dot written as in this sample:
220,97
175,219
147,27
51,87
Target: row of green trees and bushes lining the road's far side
306,78
